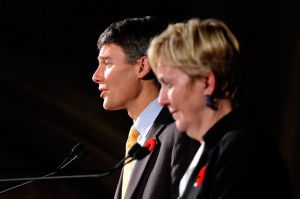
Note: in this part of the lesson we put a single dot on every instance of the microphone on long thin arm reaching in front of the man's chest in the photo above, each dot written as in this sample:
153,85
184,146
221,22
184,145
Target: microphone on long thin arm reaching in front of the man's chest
137,152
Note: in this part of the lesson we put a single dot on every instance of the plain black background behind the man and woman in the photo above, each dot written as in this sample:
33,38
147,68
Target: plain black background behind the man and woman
48,102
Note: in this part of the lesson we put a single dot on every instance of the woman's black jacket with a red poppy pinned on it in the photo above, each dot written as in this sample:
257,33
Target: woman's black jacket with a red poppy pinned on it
241,163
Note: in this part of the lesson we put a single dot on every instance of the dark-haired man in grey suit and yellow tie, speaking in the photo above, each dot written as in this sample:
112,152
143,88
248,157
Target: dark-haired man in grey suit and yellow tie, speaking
126,82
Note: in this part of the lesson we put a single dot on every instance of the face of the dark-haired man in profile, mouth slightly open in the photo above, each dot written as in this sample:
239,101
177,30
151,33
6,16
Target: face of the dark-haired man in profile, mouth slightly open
118,83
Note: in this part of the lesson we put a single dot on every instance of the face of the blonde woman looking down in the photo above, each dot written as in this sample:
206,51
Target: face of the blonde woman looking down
183,96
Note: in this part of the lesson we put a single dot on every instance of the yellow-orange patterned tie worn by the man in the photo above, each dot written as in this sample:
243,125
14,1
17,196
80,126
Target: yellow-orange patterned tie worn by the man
132,138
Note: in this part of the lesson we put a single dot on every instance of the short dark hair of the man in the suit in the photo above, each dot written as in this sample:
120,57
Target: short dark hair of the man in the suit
133,35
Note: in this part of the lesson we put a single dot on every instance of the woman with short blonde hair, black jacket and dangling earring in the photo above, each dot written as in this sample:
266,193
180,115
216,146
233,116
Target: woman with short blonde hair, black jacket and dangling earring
196,64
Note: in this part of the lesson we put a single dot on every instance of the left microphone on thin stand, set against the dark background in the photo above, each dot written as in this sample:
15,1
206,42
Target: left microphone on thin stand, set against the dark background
77,152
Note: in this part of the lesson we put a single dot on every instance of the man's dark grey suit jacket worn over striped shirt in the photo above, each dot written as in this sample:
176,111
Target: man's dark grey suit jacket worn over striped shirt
157,176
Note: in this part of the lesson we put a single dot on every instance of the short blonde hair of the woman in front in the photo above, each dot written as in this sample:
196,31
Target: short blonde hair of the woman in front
196,47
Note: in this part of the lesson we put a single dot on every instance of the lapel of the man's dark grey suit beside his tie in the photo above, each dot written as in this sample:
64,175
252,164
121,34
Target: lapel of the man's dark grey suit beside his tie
139,168
